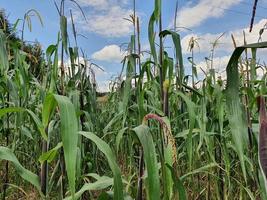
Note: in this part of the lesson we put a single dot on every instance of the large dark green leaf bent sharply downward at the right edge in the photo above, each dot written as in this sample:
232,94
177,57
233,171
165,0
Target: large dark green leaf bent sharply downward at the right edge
235,110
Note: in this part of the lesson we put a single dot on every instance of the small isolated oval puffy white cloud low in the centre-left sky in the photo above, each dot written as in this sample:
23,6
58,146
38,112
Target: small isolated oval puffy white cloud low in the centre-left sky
110,53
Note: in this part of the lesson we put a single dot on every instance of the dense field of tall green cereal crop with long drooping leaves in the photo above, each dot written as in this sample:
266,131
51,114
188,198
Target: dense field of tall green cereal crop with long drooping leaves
158,133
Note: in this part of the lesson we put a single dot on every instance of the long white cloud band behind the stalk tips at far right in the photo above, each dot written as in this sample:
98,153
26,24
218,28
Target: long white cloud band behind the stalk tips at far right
225,43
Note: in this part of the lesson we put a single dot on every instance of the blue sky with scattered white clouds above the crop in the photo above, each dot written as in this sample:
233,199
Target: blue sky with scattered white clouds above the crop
105,28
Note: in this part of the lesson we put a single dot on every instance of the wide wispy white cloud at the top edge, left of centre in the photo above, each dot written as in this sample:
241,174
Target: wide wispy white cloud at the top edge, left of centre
105,17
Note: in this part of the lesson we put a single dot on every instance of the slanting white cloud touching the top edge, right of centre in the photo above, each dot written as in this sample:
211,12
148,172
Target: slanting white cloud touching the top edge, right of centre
192,16
